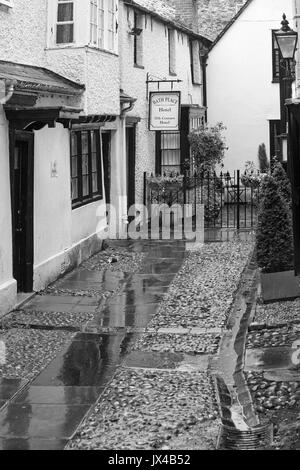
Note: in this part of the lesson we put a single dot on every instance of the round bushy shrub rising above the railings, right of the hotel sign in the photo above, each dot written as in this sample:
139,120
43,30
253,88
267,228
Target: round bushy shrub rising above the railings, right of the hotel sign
207,147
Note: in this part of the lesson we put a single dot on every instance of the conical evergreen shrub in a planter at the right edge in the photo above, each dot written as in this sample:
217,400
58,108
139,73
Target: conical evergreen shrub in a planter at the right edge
274,235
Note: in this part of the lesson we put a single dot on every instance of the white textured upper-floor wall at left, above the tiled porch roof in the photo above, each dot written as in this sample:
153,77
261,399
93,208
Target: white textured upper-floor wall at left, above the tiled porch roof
25,38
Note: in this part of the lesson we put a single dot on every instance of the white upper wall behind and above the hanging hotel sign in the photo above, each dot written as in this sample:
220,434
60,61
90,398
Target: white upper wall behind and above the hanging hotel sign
133,81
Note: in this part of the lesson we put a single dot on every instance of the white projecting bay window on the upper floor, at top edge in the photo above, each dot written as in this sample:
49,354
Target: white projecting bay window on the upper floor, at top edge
103,24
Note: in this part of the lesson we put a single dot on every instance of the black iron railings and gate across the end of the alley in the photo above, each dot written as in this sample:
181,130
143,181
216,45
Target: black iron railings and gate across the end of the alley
230,202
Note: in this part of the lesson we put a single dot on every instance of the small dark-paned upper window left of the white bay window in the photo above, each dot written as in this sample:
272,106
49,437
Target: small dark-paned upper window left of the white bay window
65,22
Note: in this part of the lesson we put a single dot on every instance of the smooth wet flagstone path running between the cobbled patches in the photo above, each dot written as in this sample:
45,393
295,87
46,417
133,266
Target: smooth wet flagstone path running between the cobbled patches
46,413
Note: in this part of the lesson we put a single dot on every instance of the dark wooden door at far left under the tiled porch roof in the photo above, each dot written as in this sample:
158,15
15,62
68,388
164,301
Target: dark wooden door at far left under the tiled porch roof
22,208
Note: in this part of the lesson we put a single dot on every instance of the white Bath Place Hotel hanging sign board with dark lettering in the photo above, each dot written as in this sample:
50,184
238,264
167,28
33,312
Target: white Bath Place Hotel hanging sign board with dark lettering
164,111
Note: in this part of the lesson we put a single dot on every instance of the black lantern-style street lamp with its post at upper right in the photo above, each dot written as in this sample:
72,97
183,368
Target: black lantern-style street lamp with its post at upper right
287,40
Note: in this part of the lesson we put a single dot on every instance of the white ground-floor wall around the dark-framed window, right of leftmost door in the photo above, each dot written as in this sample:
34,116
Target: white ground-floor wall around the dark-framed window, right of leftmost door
63,237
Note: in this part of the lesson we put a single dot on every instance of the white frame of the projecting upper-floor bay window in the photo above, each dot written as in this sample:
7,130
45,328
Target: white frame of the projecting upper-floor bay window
101,40
